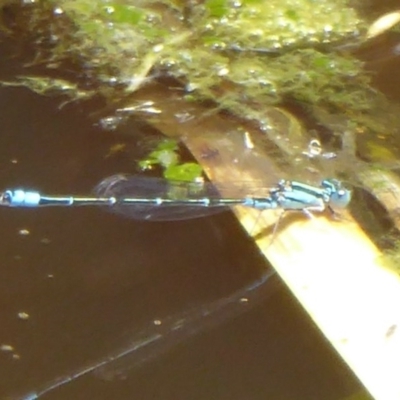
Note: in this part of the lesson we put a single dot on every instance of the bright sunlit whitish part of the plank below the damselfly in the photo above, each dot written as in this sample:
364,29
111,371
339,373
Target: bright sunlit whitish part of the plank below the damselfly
335,272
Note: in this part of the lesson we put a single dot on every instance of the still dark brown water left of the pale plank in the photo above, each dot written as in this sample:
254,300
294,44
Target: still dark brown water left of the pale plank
90,282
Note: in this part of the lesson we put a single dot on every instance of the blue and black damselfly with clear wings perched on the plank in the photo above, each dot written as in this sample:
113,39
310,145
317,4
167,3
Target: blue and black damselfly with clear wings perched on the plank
157,199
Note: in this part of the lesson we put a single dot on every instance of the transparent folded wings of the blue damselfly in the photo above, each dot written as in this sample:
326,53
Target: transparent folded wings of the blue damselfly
138,187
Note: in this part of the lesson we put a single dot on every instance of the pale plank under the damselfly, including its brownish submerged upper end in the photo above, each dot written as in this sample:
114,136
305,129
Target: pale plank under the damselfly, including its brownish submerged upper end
332,267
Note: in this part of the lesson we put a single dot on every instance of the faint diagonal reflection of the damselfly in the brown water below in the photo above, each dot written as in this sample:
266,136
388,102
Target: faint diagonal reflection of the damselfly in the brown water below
162,334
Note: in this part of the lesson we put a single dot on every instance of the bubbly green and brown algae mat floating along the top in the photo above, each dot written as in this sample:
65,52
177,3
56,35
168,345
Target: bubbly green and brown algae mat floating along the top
244,56
